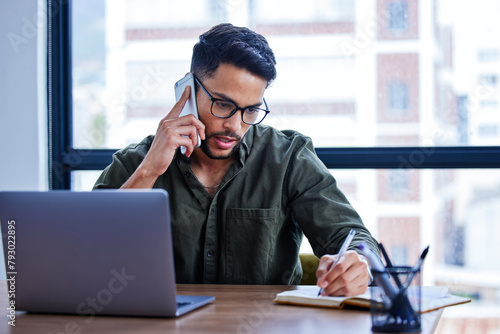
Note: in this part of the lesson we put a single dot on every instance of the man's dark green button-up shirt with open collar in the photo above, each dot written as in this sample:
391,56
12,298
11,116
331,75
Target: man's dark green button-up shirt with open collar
250,232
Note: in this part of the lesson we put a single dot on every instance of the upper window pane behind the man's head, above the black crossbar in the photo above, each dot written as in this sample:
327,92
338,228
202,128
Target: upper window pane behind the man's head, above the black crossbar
384,73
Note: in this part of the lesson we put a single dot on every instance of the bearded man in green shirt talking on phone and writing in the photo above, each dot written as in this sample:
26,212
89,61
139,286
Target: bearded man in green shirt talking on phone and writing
241,202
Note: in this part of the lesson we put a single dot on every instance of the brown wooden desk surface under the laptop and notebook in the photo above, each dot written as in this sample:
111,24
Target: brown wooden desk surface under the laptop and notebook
238,309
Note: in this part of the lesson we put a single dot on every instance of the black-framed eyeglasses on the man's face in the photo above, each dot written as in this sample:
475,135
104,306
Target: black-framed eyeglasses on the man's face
225,109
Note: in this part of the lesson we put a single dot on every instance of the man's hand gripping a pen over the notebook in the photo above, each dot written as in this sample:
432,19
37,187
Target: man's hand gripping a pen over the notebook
347,277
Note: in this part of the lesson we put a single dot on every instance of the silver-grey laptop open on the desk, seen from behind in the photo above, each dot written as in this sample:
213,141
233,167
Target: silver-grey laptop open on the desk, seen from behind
92,253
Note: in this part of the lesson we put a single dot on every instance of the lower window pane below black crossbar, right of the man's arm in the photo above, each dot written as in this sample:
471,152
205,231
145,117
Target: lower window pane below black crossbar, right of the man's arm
456,213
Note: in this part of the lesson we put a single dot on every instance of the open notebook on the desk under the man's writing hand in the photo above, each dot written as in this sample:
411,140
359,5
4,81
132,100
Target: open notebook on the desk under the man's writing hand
433,298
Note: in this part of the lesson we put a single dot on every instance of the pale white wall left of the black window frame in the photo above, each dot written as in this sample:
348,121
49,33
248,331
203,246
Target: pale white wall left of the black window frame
23,126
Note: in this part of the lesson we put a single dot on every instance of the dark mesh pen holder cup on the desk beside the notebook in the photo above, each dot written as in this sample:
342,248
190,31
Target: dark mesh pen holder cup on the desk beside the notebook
395,305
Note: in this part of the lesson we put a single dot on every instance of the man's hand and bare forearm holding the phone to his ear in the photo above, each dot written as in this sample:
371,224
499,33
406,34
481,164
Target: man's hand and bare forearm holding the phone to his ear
173,132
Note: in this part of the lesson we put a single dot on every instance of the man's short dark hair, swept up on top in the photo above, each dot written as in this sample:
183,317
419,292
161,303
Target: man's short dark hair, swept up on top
242,47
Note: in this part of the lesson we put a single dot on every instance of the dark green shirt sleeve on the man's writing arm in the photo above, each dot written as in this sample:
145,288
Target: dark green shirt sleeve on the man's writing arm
319,207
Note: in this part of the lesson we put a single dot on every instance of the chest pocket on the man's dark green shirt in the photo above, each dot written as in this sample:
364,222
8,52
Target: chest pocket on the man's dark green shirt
250,240
